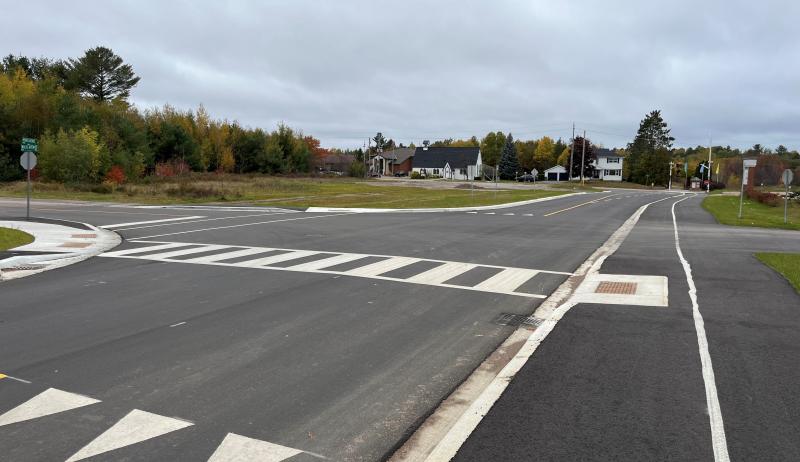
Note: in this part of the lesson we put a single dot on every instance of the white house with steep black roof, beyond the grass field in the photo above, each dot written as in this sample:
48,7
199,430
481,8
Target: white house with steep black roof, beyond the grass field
447,162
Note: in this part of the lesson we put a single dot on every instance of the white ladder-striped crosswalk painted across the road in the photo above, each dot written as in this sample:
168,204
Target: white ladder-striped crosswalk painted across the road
435,273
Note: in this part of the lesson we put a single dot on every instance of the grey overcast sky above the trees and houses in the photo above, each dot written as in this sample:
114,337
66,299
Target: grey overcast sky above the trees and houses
343,70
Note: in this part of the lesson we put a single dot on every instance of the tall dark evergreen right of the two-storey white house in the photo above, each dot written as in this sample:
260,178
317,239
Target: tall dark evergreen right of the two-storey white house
649,152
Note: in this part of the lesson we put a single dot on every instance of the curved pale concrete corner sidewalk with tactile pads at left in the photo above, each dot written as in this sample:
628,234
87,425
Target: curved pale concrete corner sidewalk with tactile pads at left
56,243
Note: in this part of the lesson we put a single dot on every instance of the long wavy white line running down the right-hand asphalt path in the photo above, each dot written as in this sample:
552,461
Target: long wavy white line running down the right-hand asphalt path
718,439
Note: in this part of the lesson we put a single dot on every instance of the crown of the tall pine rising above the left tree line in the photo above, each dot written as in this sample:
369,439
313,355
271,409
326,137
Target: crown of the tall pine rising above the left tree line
101,74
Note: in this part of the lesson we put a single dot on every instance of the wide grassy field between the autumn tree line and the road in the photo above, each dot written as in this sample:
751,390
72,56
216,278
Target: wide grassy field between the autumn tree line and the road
277,191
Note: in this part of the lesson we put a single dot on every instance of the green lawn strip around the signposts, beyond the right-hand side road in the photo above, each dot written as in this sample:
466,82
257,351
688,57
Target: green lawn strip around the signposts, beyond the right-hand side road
726,210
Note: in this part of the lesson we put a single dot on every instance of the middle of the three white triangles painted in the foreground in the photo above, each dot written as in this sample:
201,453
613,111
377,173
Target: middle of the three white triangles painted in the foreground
134,428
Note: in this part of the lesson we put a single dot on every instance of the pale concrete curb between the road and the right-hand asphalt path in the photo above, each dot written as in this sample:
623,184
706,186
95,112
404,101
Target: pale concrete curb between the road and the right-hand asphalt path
551,311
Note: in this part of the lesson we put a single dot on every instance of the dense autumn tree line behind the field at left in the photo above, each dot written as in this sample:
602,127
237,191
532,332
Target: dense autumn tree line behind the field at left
78,110
